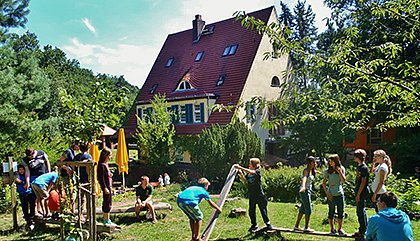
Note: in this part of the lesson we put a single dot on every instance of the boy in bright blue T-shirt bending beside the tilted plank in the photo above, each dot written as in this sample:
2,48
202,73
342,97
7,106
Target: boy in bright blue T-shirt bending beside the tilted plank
188,201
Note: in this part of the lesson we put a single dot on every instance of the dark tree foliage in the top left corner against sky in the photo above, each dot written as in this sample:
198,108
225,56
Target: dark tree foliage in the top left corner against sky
12,14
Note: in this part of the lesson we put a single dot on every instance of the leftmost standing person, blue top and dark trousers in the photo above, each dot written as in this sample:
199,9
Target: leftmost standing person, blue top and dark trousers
26,196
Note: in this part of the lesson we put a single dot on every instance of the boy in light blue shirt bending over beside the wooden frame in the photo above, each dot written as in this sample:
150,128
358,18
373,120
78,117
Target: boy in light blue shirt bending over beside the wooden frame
42,186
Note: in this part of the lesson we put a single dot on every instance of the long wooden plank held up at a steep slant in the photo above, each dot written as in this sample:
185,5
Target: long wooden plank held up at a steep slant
220,202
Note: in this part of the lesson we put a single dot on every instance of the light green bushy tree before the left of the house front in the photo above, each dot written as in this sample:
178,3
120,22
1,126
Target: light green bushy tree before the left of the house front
155,133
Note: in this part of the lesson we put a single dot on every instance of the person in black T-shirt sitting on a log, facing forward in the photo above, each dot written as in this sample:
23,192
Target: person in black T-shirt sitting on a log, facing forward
144,198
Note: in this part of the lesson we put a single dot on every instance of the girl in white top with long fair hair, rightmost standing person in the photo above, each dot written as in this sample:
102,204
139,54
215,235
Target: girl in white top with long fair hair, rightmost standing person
381,167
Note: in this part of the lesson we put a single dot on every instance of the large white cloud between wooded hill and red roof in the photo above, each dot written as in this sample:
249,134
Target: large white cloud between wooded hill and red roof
132,61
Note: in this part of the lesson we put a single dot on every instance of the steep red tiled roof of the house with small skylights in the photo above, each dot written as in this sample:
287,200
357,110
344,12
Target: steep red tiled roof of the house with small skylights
204,74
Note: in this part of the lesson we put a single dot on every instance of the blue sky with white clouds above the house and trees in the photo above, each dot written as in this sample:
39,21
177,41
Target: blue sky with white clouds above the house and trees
124,37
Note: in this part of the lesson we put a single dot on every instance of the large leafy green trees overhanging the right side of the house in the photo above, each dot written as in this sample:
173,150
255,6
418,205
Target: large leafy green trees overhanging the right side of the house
367,72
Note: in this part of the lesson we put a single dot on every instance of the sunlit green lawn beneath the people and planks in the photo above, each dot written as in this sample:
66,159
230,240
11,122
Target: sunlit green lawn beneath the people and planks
173,225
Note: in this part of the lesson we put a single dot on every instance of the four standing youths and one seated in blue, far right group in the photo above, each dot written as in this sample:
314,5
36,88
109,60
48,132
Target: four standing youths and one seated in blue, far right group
334,177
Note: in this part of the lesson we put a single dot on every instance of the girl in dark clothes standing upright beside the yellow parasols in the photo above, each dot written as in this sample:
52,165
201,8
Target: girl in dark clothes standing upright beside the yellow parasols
105,181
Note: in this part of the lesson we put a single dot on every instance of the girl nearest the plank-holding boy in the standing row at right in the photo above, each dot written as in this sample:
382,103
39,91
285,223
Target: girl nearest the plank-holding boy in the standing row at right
305,194
